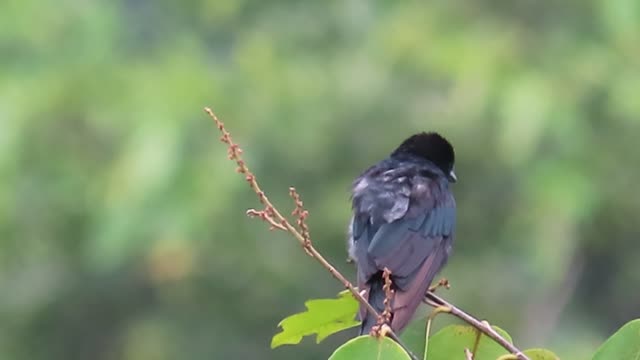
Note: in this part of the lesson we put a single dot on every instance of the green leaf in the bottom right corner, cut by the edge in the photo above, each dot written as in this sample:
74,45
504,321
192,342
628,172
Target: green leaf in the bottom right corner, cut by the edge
623,345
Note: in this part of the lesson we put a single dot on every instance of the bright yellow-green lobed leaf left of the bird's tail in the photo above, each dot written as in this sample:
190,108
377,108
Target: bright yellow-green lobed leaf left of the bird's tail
323,317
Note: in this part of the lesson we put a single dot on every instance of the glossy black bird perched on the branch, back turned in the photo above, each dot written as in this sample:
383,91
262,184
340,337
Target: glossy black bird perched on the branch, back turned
403,219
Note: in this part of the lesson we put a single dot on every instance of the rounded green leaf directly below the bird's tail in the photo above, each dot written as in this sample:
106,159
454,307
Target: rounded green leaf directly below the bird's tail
367,347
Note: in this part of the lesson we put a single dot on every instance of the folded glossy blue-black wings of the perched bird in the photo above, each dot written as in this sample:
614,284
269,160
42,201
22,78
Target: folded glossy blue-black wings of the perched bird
413,247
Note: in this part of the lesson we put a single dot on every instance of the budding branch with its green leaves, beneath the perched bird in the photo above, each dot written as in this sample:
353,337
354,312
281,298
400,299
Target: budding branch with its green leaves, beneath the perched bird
341,311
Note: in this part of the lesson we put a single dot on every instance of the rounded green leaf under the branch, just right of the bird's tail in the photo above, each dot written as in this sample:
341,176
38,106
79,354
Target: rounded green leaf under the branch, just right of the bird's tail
450,342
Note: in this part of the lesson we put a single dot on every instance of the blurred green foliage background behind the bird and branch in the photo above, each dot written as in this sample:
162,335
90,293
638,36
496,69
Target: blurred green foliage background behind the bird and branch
122,227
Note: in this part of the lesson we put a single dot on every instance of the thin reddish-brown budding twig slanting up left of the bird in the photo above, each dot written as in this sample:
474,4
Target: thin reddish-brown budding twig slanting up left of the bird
276,220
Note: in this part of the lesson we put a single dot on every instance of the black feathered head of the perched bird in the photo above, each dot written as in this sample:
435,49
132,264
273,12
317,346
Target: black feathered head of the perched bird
430,146
